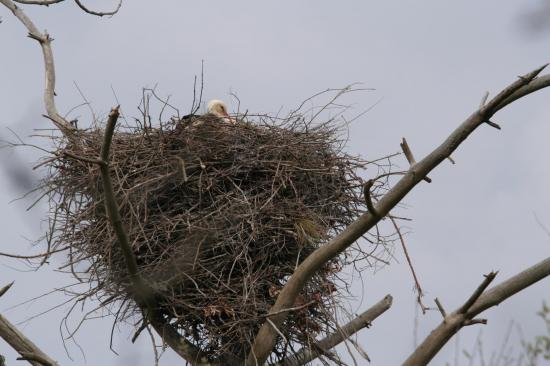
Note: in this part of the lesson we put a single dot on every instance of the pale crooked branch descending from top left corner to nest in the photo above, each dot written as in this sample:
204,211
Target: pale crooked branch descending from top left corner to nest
44,40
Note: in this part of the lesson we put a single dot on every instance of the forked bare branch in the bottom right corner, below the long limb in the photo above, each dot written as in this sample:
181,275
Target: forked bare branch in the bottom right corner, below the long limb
483,301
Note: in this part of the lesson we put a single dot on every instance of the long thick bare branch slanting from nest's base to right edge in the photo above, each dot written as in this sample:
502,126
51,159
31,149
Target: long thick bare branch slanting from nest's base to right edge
266,337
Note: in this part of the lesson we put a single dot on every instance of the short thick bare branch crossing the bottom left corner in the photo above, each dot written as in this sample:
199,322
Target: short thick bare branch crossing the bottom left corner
28,350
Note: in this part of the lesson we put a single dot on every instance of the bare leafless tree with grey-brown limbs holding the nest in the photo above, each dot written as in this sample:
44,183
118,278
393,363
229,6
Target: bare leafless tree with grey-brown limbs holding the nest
467,314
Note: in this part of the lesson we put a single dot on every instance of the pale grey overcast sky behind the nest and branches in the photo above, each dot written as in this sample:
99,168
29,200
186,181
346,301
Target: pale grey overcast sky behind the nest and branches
430,63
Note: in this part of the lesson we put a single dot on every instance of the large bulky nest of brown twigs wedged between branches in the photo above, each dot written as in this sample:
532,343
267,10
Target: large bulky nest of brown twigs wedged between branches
218,216
